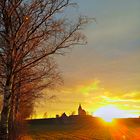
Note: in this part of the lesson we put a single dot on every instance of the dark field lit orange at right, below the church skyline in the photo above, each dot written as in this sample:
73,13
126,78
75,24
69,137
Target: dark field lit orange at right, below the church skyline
85,130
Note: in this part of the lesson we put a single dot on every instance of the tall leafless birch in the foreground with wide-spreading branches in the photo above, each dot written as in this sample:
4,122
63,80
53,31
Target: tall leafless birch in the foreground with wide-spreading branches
31,32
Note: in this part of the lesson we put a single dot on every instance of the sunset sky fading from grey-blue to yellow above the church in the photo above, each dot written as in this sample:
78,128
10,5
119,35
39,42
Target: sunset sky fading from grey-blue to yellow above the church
107,70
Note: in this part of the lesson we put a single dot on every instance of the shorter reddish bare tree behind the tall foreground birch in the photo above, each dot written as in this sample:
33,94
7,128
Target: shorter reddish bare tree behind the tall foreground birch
26,90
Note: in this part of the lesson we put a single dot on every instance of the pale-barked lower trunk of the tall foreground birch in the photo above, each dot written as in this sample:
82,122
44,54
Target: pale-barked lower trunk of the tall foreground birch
5,111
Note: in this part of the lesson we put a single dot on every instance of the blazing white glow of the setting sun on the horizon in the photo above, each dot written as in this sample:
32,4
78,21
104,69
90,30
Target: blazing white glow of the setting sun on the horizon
109,112
